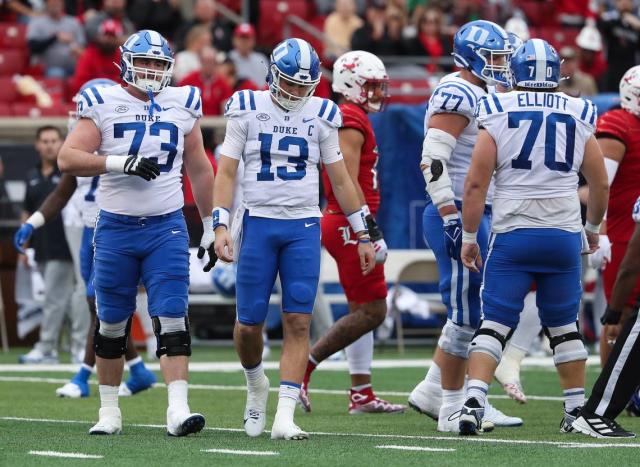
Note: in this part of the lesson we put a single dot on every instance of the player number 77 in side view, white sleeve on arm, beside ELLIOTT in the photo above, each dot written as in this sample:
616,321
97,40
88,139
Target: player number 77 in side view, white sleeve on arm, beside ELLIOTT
481,50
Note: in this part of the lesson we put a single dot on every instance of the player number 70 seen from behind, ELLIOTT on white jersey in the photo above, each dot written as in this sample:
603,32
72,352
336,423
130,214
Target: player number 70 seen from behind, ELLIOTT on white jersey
536,140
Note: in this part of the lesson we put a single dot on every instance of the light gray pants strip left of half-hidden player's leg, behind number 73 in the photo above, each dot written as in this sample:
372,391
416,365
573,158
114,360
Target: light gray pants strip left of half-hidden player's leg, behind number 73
79,312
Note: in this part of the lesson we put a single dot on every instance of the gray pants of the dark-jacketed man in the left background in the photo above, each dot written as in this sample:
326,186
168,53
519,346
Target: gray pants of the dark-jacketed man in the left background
58,287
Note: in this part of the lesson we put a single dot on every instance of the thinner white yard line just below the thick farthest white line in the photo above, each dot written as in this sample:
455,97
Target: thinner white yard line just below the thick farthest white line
221,387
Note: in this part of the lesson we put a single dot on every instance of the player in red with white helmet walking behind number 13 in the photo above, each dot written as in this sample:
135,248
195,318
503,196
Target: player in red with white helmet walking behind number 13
360,77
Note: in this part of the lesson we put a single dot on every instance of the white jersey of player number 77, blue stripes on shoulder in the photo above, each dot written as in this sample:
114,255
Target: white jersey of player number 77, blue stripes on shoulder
458,96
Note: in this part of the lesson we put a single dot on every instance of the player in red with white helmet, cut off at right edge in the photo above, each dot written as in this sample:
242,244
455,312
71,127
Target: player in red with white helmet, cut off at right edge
618,133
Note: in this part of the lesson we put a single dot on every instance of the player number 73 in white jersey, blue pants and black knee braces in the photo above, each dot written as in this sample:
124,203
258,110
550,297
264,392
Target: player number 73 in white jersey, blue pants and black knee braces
141,132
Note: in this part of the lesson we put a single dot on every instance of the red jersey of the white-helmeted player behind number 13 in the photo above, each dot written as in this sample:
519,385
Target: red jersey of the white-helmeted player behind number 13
355,117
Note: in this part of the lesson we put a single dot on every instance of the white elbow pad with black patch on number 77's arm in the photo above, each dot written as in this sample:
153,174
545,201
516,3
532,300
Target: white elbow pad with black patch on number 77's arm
436,152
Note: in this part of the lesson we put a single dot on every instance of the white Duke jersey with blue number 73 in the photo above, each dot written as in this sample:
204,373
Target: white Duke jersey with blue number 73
127,128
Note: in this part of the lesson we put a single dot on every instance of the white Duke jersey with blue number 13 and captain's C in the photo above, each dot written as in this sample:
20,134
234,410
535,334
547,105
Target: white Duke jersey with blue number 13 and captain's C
281,151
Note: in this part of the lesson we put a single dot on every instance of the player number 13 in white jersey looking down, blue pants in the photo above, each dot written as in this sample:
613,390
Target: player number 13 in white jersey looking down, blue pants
281,135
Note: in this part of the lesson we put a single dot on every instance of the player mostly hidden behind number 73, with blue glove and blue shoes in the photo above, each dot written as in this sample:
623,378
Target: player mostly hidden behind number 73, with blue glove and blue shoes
83,190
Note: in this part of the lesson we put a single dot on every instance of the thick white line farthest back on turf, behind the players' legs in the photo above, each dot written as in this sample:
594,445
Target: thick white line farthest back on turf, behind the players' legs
206,367
